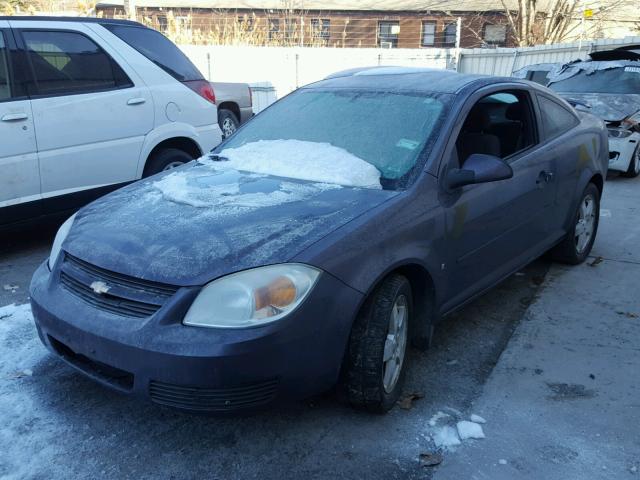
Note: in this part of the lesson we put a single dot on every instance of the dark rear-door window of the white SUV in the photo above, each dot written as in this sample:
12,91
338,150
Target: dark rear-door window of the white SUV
69,62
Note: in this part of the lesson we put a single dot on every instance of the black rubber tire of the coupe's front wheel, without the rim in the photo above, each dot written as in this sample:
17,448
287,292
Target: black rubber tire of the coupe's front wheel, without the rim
364,369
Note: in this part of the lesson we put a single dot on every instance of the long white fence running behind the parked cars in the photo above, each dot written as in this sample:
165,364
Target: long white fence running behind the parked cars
273,72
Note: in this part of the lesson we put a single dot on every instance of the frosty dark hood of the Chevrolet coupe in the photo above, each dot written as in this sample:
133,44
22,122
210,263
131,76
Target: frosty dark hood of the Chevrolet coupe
198,222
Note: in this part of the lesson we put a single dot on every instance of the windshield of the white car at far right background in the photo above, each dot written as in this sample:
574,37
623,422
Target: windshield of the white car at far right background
612,80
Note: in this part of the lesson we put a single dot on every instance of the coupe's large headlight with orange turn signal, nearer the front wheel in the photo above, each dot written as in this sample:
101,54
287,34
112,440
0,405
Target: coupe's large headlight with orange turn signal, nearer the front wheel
253,297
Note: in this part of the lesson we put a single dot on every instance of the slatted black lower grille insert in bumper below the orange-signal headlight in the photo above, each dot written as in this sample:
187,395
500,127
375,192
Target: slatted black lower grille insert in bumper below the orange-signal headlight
213,399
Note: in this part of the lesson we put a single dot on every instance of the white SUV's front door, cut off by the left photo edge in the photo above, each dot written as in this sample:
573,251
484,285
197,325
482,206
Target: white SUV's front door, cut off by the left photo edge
19,172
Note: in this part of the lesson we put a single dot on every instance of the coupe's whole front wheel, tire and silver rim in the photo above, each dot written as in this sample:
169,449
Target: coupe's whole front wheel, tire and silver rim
378,345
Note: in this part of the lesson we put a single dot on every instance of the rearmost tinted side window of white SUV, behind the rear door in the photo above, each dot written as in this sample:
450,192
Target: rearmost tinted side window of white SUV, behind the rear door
159,49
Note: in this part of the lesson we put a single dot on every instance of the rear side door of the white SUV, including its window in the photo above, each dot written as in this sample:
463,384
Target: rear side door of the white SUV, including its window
91,111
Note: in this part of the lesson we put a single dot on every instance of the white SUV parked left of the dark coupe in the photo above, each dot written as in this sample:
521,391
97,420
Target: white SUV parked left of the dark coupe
87,105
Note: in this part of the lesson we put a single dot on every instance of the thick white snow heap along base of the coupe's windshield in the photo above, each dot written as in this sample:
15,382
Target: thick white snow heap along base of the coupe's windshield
312,161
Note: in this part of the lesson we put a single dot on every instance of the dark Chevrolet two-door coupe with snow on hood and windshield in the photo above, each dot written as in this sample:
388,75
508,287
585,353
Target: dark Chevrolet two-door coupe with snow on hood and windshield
321,240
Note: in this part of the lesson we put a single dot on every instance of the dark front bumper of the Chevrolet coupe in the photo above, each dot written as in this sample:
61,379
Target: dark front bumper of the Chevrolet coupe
199,369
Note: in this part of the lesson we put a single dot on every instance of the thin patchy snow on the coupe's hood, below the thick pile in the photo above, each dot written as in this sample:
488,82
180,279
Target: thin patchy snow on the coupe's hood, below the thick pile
200,191
